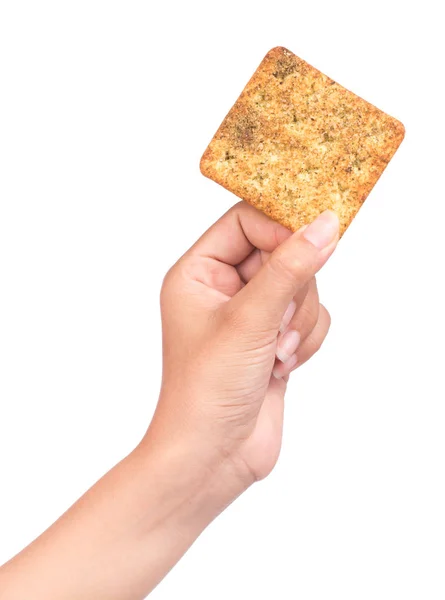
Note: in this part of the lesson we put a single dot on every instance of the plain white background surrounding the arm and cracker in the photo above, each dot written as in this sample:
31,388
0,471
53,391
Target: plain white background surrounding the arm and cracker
105,110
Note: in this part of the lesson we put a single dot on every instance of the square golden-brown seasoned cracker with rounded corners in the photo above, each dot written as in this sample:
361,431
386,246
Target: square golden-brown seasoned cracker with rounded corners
296,143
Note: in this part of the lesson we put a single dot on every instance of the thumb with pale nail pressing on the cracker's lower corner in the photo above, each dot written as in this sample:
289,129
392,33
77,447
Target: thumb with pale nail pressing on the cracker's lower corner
263,301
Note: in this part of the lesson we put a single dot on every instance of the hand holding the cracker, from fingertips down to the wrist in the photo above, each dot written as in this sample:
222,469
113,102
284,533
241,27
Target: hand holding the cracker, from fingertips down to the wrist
242,296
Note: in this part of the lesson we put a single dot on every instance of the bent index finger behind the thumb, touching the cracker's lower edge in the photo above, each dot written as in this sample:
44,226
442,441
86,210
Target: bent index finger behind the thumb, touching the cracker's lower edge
237,233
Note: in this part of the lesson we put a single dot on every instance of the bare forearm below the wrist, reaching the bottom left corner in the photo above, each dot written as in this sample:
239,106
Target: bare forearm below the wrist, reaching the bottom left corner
122,537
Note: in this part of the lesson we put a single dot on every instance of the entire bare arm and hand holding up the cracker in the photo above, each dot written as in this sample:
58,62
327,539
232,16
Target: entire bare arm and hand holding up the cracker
244,294
